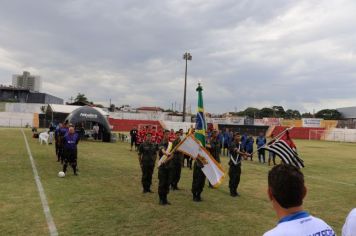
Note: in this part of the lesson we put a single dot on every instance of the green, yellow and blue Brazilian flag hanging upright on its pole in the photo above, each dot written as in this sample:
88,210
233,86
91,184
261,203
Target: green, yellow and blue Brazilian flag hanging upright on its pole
200,125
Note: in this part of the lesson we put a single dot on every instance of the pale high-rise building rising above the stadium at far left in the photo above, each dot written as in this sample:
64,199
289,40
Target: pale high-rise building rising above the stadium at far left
27,81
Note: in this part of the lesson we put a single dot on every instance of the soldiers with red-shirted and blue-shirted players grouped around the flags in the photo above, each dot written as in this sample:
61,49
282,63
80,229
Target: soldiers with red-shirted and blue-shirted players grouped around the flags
149,143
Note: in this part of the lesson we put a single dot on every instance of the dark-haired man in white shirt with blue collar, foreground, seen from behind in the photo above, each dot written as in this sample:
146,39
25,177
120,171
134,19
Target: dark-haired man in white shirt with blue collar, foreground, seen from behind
286,190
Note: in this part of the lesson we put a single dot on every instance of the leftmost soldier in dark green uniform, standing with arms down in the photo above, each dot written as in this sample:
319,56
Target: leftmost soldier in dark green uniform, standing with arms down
147,154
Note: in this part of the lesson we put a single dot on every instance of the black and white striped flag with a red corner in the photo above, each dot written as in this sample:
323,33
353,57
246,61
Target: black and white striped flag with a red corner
286,150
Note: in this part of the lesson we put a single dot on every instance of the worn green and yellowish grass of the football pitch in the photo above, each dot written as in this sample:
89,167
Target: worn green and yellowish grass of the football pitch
106,198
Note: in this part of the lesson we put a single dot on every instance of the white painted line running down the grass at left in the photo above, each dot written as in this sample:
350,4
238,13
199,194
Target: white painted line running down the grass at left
51,226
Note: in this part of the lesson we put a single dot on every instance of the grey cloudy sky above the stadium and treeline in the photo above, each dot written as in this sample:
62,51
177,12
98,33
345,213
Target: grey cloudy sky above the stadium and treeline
300,54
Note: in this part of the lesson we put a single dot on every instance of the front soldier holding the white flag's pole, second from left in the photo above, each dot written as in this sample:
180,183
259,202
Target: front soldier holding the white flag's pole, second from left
164,171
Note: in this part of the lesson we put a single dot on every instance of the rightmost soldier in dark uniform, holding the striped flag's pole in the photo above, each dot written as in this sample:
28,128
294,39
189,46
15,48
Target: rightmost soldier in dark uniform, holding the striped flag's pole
236,153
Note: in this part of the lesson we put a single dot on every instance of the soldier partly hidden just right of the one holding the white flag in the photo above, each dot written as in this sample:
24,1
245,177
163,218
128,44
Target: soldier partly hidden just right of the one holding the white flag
176,164
